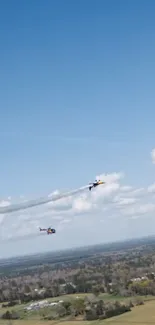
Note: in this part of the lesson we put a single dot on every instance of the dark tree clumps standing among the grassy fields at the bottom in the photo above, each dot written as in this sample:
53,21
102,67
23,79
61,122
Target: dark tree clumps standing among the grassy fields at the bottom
90,308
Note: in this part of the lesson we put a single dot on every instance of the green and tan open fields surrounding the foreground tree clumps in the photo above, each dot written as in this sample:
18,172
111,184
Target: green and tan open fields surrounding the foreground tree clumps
34,317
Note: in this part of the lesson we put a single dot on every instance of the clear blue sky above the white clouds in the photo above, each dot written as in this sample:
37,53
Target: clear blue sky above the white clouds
77,93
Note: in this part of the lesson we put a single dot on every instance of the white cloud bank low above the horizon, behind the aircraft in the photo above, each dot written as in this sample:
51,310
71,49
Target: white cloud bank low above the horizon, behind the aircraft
111,205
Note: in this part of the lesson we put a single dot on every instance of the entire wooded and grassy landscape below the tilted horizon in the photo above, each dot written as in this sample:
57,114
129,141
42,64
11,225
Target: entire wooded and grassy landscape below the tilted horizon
112,283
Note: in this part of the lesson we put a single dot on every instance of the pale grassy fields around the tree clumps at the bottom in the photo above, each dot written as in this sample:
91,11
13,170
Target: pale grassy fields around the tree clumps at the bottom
139,315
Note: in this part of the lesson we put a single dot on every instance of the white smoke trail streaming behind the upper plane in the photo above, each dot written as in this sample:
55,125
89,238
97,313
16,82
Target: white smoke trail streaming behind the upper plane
40,201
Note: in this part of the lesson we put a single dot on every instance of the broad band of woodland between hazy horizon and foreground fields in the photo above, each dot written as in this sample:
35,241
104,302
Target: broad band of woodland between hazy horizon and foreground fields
128,274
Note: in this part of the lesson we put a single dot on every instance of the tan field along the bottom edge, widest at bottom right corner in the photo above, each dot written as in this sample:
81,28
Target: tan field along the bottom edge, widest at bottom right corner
139,315
